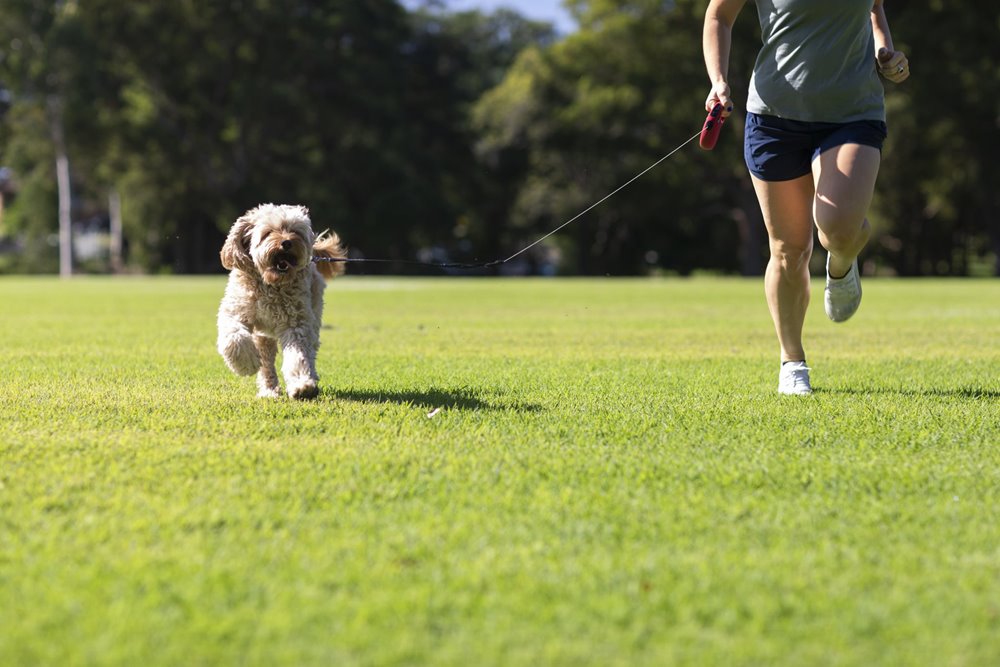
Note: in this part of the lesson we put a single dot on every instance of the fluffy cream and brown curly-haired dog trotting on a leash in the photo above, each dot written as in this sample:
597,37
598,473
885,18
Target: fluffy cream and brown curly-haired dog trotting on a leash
275,297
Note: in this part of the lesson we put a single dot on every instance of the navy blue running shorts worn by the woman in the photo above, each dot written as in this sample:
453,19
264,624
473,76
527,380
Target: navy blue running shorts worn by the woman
776,149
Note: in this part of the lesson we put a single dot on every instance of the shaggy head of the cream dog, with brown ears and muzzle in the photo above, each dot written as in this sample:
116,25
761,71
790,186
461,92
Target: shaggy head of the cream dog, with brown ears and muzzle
273,241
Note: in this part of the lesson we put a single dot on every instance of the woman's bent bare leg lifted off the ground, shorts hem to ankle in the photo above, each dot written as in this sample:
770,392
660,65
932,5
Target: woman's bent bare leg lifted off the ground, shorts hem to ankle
844,178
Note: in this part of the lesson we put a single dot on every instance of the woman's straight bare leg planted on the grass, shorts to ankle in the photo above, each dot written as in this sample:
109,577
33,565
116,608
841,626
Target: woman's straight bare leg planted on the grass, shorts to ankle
787,208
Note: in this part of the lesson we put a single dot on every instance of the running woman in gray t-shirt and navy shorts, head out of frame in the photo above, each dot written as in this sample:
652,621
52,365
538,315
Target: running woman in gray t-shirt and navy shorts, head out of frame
814,132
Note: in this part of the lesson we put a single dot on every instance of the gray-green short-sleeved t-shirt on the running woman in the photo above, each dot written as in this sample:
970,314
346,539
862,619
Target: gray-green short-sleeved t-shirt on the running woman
817,63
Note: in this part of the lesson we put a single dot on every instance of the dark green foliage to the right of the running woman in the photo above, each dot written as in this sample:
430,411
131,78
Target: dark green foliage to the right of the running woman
938,203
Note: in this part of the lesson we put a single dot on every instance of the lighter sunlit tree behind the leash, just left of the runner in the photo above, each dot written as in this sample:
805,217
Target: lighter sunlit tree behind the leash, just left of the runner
586,114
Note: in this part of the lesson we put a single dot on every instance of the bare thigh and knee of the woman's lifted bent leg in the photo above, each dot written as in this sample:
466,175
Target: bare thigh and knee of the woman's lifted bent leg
844,179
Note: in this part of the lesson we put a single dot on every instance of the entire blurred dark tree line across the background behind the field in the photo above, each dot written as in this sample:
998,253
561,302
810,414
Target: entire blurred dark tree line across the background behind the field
454,135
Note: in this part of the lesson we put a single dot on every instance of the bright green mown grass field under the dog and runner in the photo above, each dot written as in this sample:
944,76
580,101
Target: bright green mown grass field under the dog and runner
611,479
